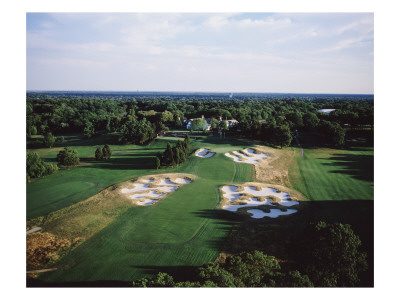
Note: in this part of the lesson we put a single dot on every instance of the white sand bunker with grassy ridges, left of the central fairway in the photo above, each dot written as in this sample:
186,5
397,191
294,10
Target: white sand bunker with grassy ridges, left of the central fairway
148,191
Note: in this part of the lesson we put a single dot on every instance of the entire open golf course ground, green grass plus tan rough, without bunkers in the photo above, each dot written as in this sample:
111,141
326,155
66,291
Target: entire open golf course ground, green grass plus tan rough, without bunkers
118,241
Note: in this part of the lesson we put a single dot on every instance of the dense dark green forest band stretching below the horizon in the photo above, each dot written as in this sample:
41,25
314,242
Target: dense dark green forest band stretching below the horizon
139,117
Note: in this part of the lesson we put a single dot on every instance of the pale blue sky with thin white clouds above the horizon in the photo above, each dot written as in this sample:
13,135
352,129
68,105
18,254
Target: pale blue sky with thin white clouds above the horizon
204,52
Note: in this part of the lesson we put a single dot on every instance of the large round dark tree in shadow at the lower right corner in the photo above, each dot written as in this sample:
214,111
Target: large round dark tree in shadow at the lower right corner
330,255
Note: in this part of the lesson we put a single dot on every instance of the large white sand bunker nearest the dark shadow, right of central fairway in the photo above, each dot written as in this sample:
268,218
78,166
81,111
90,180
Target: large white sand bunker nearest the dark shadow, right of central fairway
249,196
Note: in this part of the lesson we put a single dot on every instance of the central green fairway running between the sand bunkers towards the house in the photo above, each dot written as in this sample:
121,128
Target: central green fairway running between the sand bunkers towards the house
177,232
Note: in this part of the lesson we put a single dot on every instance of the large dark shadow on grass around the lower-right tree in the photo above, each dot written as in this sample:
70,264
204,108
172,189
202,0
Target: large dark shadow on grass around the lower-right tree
279,237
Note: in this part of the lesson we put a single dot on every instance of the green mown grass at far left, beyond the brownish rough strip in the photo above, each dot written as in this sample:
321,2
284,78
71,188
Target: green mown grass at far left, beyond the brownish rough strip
67,187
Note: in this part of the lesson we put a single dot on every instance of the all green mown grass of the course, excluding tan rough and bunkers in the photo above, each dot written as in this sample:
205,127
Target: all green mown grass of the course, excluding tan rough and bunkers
184,230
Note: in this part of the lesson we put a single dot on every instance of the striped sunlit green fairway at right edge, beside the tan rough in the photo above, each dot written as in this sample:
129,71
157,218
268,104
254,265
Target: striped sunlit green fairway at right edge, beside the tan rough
329,174
